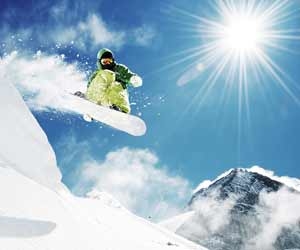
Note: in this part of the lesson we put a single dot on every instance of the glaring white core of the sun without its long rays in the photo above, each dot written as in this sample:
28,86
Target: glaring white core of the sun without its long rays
242,31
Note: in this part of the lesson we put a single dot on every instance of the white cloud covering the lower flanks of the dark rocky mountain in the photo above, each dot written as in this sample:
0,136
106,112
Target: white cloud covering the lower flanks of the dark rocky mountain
214,225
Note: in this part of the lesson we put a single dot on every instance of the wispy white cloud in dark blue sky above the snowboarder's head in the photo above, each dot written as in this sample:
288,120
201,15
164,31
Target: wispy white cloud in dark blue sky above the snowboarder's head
94,32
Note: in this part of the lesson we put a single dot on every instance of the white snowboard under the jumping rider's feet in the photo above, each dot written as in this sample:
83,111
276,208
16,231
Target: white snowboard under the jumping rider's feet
130,124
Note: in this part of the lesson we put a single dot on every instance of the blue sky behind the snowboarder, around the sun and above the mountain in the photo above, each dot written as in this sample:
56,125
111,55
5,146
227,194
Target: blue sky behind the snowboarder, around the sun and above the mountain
193,135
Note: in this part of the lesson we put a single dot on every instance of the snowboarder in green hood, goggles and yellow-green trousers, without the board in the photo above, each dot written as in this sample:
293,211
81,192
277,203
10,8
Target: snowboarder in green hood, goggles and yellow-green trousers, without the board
108,84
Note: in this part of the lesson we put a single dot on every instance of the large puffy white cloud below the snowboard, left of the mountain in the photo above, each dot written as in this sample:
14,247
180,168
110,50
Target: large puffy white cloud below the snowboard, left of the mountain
134,177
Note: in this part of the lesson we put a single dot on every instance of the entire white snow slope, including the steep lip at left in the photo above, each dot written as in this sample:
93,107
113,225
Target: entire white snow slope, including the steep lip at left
38,212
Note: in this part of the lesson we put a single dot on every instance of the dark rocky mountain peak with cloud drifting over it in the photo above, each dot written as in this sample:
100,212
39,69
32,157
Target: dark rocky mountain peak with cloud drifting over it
242,210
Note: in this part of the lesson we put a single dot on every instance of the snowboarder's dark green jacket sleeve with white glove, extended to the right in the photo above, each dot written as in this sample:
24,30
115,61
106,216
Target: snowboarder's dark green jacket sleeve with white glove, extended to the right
126,77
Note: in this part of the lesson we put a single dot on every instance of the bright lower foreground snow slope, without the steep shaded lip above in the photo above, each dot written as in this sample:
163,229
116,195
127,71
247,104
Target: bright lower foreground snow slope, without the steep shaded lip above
38,218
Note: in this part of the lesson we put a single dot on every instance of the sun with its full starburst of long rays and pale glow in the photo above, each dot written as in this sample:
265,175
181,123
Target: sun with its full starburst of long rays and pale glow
237,56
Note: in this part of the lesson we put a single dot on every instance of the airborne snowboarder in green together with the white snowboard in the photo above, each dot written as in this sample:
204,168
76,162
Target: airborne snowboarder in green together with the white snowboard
107,88
